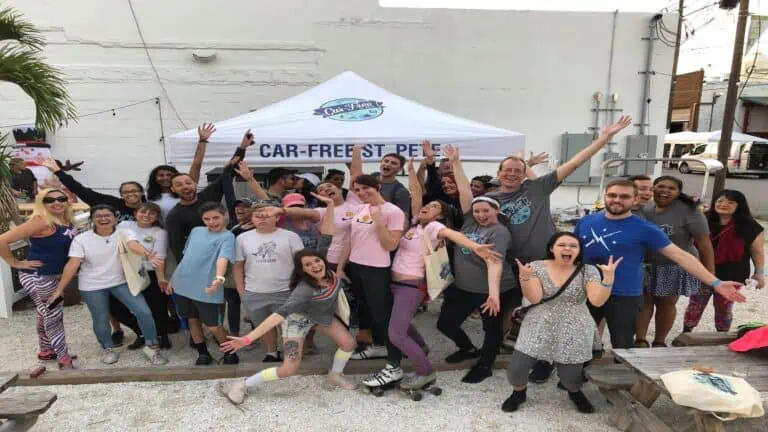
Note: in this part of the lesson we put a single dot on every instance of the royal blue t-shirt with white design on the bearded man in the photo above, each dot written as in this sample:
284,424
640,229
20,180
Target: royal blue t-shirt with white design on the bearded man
628,238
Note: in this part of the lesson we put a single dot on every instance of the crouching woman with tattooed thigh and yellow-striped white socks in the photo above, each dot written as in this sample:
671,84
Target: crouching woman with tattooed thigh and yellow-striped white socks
311,305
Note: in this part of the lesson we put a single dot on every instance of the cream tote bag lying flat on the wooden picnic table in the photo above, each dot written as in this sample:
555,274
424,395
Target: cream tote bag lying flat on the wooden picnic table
726,397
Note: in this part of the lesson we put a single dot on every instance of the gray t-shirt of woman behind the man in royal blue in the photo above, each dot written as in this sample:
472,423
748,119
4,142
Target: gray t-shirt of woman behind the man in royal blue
681,223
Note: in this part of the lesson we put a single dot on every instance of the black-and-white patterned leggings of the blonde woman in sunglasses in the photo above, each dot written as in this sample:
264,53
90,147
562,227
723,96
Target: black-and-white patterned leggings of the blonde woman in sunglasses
50,323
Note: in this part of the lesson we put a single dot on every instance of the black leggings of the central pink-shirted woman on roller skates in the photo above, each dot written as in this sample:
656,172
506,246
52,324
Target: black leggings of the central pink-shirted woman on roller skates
370,286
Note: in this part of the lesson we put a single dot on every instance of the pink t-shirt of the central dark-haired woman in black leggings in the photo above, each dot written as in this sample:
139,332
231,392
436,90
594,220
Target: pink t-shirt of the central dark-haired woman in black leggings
366,248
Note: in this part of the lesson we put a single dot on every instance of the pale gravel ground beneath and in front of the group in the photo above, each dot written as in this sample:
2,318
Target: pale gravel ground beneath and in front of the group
304,403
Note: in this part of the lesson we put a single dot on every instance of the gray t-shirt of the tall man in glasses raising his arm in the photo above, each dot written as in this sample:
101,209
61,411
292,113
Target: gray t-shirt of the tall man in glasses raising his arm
530,216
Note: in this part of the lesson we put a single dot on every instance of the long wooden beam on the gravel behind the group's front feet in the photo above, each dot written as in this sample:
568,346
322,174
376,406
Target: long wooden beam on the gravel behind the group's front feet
195,373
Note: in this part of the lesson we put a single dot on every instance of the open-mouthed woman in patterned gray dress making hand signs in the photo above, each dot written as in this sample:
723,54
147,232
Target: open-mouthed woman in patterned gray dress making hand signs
558,327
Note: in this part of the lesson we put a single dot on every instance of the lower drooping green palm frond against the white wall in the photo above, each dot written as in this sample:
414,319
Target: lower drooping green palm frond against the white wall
44,83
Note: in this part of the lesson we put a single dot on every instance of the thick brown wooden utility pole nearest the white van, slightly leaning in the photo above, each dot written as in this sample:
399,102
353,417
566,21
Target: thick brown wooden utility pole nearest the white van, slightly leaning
724,148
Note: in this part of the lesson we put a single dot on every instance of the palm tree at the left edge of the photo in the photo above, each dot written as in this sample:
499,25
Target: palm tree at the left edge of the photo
22,63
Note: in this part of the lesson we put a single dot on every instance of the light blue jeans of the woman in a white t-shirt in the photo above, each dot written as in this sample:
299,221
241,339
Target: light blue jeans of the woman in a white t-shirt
98,304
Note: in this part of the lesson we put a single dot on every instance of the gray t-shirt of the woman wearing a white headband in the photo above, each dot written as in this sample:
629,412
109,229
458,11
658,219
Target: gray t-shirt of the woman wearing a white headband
470,270
